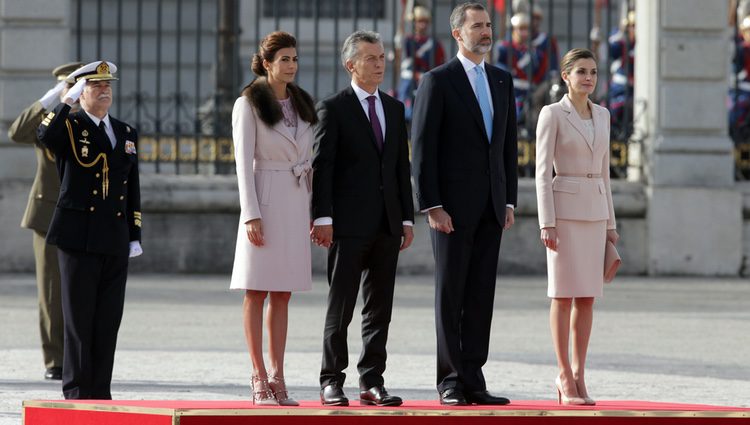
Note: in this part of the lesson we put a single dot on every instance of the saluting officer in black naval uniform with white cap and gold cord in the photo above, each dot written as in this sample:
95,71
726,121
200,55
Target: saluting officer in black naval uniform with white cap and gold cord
96,225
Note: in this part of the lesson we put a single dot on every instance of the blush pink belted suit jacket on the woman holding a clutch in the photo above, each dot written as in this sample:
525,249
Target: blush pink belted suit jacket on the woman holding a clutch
564,143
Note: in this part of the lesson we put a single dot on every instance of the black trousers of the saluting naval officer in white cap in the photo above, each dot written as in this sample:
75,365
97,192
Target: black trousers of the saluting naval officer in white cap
93,294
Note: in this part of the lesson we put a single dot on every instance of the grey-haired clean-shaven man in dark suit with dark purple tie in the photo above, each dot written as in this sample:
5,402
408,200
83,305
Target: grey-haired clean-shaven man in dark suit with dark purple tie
363,211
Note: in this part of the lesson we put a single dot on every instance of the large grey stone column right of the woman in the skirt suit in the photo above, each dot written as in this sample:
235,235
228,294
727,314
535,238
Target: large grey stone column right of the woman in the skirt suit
694,214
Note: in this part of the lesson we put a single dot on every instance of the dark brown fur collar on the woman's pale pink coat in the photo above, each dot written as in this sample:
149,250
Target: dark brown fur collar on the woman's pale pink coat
261,96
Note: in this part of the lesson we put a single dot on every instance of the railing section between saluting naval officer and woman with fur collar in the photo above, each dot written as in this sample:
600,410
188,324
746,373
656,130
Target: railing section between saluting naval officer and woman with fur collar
179,70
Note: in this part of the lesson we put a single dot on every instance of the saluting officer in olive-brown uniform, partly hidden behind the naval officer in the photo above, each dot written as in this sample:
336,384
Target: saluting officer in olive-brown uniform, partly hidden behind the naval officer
39,209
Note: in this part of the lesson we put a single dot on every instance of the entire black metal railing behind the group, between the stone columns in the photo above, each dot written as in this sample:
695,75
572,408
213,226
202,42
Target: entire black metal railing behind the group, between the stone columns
181,65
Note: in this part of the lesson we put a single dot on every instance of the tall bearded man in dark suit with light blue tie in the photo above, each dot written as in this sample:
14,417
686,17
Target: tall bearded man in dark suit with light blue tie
465,169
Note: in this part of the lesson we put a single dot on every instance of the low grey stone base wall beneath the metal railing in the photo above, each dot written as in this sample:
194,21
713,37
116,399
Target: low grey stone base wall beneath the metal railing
190,224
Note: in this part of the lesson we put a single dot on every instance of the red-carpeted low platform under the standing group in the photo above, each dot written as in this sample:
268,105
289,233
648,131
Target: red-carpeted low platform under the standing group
177,412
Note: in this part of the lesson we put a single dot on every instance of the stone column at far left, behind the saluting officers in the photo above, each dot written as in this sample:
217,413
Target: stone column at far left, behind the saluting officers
35,37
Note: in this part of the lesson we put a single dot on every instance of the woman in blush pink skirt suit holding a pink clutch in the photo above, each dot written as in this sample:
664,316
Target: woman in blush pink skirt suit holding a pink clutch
576,216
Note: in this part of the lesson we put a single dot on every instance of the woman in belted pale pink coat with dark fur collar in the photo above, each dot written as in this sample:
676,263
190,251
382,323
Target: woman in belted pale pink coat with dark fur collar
273,136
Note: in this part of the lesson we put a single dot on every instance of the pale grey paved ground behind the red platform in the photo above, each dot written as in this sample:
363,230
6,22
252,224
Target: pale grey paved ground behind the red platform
676,339
